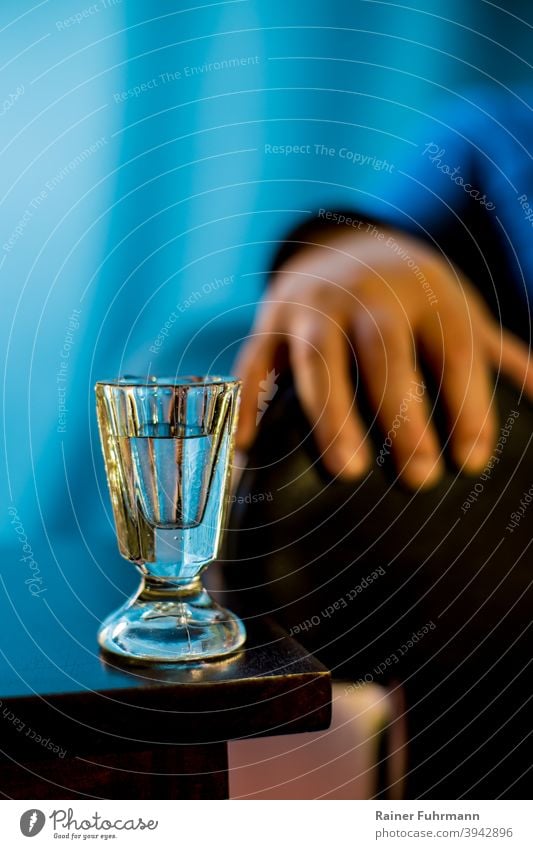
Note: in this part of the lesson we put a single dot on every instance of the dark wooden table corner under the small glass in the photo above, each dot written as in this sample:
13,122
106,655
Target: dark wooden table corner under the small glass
76,725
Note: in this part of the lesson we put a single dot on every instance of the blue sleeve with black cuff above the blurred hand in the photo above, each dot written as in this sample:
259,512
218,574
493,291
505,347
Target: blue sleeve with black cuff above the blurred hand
449,192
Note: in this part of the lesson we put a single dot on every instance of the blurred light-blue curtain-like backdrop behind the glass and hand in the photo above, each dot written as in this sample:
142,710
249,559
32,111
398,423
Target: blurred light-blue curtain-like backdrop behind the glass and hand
180,191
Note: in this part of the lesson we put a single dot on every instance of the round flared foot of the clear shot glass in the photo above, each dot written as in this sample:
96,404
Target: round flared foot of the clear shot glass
170,623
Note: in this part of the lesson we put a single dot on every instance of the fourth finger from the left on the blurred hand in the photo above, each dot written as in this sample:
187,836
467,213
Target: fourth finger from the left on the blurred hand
459,361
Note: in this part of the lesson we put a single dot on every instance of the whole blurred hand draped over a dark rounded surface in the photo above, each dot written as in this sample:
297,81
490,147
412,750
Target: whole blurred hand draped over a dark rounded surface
390,301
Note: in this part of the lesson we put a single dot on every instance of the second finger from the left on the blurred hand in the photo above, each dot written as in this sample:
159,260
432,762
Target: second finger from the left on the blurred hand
319,356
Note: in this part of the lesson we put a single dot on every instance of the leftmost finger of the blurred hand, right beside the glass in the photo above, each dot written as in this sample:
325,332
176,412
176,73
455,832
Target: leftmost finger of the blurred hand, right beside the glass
253,366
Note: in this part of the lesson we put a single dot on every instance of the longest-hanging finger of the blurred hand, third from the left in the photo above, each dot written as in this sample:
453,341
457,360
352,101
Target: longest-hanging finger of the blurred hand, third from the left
397,393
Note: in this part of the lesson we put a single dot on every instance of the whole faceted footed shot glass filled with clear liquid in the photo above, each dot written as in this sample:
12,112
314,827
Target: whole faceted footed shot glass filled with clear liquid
168,445
